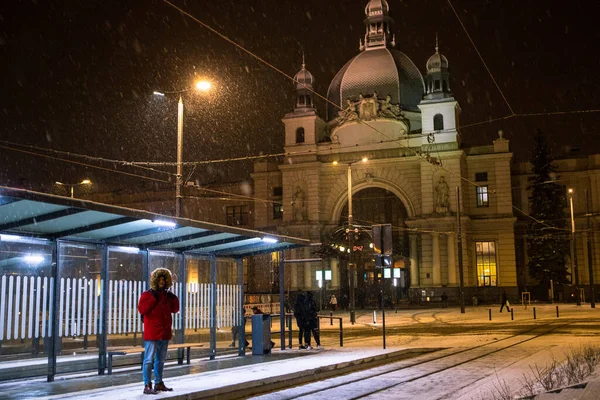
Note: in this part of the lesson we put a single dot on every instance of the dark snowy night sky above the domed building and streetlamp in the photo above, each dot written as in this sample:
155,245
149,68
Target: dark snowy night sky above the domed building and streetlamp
78,76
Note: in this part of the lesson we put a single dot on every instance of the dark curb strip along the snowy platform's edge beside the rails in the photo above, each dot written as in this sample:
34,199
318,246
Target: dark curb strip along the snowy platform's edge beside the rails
251,388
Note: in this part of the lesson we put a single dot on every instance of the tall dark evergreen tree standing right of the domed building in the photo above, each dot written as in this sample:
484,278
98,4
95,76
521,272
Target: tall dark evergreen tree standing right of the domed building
548,240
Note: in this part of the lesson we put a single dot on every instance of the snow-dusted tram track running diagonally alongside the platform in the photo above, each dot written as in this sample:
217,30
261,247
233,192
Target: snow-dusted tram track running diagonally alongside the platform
379,373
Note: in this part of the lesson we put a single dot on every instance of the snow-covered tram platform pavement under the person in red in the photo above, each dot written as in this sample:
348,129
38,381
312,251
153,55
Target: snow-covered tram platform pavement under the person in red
208,379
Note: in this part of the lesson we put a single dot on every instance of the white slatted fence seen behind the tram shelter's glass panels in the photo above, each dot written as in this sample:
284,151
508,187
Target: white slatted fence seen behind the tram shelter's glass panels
26,304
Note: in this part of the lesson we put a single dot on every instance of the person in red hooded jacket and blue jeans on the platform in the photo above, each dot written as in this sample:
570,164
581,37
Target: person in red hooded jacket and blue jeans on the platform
156,306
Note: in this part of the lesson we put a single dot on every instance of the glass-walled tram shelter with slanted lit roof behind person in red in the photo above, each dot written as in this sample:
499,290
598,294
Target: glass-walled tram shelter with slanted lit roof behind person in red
71,272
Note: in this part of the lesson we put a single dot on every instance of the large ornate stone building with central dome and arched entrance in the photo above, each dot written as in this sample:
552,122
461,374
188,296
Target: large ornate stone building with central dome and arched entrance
388,151
